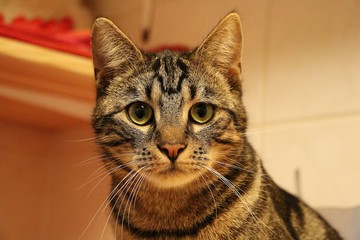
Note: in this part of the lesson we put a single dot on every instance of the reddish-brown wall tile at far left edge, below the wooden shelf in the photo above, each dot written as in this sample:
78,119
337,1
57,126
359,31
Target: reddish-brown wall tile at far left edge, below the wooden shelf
23,181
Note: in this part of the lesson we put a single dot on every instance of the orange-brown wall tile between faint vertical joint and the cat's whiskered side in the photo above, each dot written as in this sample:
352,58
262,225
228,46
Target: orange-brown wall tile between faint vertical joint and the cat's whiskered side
76,194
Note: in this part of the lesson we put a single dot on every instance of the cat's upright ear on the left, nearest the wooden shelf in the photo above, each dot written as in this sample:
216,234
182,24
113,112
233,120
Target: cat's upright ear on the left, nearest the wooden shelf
112,50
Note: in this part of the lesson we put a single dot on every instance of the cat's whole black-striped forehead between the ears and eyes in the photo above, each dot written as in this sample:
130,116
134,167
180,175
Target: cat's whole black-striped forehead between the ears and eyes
169,80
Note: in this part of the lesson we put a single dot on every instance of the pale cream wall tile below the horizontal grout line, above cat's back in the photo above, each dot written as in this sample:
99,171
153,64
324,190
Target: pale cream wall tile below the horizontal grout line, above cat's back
326,153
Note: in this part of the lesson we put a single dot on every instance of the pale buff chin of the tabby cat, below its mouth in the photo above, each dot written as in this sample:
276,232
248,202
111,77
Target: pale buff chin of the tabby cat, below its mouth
172,181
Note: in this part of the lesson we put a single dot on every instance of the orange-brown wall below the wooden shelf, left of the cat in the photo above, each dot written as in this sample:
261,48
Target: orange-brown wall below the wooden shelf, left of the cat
46,192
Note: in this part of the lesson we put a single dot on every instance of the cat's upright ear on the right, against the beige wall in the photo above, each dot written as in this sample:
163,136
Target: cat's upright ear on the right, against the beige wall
222,49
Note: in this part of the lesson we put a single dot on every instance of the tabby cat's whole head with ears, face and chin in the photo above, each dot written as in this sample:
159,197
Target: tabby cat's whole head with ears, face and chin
170,116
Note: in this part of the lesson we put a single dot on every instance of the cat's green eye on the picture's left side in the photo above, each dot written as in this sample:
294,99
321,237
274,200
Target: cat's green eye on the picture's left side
140,113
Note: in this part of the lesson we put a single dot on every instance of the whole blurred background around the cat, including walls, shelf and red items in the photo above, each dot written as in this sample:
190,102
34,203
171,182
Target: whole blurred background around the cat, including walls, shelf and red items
301,88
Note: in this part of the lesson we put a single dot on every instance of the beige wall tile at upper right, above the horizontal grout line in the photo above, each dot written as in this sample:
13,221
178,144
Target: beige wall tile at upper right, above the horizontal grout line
313,58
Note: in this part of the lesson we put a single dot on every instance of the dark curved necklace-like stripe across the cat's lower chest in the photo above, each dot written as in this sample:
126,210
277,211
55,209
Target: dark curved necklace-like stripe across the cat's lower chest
244,185
